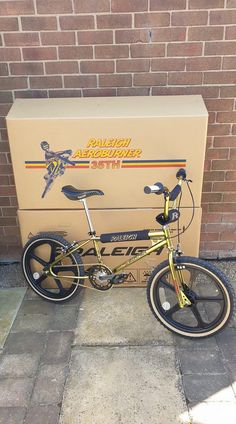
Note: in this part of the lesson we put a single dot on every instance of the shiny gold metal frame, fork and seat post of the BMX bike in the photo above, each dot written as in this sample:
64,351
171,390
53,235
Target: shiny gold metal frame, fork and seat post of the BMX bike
159,239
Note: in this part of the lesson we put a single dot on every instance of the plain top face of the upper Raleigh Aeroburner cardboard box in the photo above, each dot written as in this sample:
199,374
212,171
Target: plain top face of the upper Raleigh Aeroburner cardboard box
108,107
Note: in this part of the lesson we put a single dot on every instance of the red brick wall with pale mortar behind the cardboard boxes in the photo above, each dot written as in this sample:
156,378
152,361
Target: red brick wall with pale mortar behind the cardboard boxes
56,48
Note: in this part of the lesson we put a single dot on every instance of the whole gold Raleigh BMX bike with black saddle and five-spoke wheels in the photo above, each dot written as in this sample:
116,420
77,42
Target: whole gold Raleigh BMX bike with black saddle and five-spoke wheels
189,296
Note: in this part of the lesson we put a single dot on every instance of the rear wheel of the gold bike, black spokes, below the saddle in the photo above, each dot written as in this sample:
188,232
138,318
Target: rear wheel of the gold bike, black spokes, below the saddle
38,253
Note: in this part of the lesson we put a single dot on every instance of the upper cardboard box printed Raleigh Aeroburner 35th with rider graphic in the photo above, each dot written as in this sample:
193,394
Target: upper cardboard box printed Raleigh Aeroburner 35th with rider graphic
118,145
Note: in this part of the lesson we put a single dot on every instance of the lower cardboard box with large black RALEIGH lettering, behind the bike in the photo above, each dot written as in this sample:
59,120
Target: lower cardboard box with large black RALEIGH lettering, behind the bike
72,225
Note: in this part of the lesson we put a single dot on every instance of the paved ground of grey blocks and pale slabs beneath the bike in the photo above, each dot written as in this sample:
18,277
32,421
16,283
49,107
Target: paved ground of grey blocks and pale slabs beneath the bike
102,358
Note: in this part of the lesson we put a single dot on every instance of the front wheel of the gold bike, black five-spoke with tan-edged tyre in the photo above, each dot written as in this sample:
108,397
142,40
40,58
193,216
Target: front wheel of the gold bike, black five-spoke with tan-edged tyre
212,298
